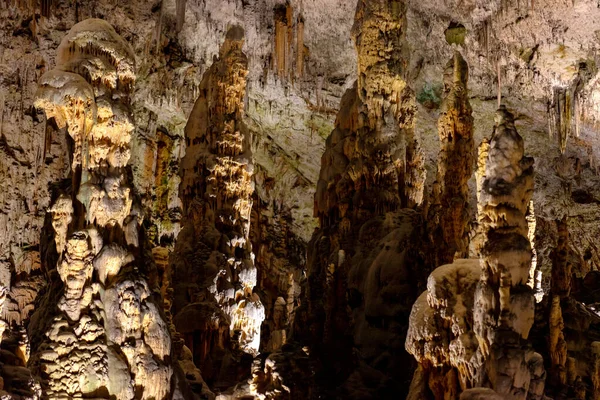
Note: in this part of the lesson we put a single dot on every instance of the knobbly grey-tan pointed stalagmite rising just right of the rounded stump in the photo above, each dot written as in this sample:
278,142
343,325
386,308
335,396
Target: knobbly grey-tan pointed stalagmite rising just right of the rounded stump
504,303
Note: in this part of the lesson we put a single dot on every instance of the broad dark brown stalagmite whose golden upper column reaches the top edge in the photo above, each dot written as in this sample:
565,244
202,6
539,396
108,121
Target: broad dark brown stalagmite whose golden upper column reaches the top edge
370,170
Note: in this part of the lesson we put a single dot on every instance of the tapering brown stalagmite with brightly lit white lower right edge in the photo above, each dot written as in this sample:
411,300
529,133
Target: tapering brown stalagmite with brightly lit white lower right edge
214,273
